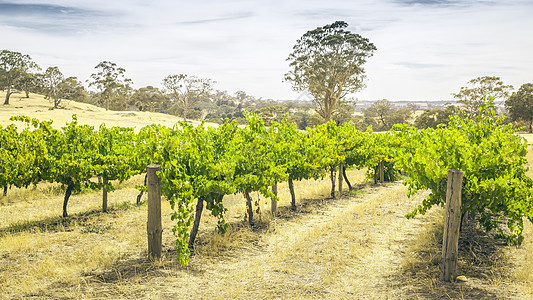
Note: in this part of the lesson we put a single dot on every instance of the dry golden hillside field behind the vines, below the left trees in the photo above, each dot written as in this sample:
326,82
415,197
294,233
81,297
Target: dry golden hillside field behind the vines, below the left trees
38,107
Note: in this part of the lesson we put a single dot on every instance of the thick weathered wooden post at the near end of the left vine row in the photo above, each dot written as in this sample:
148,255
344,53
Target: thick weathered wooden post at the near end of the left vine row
153,225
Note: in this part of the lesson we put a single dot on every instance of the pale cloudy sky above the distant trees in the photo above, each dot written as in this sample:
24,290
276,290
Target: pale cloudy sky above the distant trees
426,49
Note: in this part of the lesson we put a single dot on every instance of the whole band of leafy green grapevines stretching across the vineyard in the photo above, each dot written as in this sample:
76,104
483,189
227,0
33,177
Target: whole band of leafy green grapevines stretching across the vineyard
200,165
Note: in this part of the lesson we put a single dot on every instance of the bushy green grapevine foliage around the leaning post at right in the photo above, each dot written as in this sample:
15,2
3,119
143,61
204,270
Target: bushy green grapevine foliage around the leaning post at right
492,158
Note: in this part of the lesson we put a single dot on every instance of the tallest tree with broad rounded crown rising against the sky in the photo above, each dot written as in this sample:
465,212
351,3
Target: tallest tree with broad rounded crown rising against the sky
328,63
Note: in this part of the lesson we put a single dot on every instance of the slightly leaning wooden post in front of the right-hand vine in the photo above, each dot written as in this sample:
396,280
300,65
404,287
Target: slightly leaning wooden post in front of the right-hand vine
452,222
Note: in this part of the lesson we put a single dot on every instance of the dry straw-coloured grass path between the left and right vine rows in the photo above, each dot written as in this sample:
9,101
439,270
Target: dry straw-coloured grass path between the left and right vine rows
351,248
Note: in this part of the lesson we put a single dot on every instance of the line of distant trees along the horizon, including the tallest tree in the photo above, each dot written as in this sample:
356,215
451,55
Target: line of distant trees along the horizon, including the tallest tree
192,97
